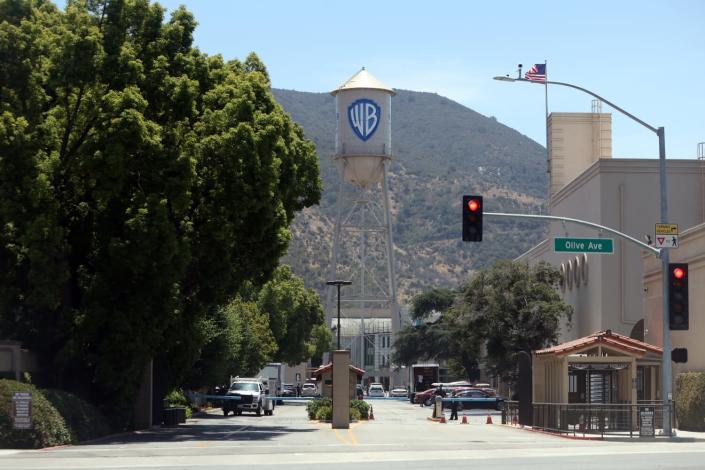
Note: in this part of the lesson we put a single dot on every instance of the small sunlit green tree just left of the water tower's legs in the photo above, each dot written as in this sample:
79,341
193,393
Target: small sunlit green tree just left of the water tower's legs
295,317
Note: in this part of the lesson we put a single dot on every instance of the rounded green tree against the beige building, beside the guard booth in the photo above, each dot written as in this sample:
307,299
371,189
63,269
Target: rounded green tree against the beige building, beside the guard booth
512,307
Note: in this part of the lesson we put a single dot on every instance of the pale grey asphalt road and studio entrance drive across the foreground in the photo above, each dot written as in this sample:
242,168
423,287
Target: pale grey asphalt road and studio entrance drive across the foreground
401,437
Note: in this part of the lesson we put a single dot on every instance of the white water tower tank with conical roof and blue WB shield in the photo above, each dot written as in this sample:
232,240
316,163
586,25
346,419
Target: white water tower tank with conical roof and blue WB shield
363,137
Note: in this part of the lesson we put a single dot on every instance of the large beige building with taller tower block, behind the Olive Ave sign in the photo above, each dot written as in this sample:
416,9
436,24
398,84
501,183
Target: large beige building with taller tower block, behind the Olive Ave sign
607,290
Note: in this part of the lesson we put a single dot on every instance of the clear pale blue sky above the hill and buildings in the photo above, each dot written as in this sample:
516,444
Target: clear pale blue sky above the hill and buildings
646,56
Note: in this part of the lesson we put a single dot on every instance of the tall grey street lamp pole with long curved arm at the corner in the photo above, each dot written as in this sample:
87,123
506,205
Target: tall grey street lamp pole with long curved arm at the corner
660,132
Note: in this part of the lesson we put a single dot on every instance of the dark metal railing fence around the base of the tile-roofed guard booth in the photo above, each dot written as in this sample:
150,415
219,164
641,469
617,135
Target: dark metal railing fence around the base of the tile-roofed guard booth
600,418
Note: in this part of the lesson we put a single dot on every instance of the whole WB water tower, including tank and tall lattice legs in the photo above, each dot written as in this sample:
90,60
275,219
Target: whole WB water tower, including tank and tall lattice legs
363,248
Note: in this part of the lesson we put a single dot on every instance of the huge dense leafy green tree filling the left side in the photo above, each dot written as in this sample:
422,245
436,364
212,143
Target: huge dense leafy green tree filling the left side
142,182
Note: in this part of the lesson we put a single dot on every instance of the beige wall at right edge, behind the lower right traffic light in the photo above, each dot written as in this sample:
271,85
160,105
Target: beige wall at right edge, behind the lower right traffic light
691,250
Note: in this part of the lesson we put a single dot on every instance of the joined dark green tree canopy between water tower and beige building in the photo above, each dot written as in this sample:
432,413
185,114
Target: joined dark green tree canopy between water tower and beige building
502,310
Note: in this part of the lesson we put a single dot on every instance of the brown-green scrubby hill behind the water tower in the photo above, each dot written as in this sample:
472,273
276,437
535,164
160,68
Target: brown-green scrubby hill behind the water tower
442,150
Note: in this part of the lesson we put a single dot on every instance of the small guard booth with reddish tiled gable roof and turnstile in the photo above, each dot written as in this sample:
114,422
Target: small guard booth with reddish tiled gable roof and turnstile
597,382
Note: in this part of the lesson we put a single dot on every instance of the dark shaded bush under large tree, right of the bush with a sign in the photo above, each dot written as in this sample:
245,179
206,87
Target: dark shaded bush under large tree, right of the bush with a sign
83,420
